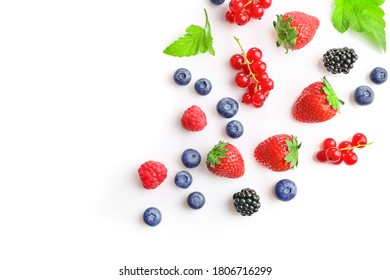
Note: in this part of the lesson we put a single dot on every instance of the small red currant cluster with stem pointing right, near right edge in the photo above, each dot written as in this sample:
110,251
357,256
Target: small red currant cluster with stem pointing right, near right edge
343,152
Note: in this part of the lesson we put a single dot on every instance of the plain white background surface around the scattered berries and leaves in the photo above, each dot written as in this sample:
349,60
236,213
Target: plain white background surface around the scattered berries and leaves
86,96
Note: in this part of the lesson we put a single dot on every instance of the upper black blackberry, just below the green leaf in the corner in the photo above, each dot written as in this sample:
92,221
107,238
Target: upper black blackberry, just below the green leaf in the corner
339,60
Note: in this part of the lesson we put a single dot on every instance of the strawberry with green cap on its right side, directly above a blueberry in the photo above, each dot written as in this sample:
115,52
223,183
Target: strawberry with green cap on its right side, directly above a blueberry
278,152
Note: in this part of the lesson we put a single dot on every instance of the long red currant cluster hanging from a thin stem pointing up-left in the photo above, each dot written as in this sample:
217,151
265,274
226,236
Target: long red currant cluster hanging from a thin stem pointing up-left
252,75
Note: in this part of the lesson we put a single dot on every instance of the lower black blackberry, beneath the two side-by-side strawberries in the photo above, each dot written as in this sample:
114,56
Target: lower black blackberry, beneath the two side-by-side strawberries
246,202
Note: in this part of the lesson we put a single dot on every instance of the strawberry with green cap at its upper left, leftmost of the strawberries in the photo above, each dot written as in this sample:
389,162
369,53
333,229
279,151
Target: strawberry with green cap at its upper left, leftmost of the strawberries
225,160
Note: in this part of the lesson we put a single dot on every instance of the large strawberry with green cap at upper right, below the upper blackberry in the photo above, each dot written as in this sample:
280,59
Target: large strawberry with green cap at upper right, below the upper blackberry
317,103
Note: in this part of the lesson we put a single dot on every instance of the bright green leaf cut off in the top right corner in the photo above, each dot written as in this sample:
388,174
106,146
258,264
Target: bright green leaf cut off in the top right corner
363,16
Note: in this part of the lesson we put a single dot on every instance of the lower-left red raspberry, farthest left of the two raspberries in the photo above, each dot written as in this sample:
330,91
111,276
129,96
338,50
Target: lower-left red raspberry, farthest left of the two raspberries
152,174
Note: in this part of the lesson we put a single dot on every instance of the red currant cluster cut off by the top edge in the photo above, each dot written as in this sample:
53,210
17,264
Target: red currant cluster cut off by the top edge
241,11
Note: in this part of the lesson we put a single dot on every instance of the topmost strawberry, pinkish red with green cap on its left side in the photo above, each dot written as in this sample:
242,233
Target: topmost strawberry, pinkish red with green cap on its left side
295,29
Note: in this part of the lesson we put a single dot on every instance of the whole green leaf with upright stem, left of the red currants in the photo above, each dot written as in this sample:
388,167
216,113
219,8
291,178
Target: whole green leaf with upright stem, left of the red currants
196,40
